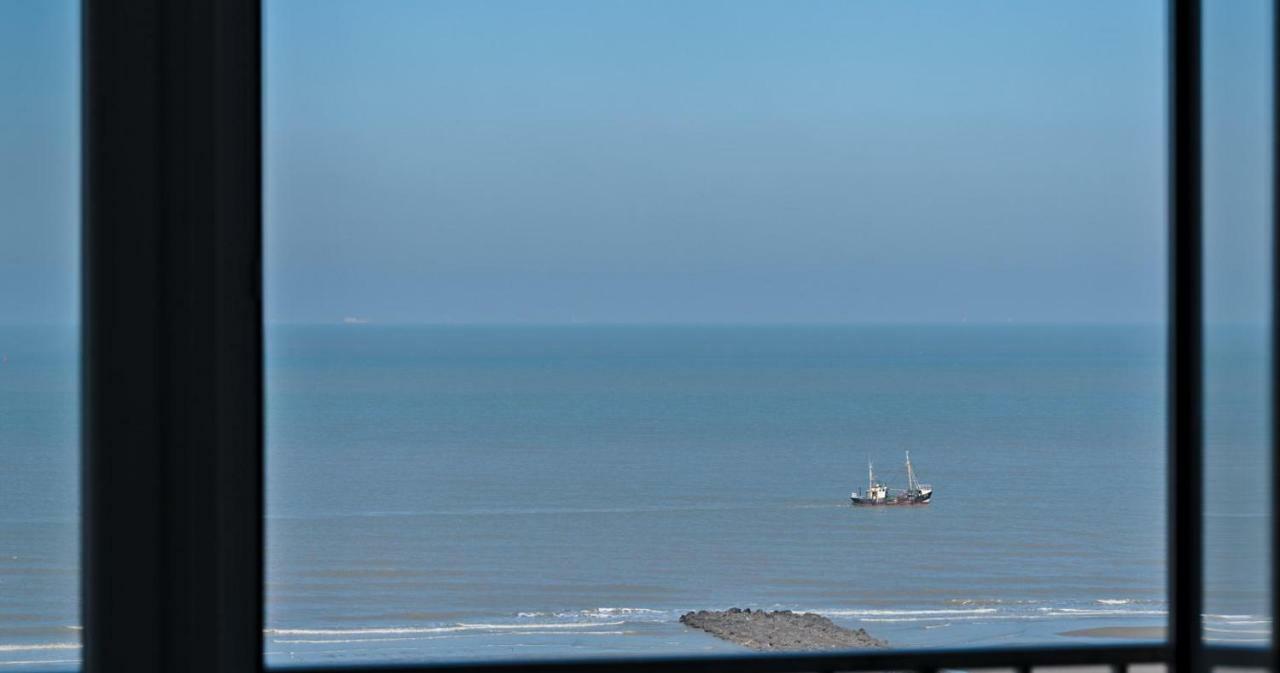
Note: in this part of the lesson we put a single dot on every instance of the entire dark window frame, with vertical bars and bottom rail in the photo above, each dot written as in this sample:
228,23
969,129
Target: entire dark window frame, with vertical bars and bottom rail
172,392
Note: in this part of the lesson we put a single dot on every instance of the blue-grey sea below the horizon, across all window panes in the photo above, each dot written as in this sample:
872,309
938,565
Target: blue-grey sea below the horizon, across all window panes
460,493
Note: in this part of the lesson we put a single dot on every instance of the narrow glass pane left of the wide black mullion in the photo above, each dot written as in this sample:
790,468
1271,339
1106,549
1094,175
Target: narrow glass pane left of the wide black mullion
39,347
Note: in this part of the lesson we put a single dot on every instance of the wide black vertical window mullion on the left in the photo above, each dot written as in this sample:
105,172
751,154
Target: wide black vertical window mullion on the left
172,336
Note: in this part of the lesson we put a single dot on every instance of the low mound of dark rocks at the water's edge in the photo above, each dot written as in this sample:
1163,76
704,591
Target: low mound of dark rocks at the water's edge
779,631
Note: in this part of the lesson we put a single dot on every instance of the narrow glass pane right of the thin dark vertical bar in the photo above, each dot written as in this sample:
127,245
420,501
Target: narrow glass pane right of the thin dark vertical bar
1237,309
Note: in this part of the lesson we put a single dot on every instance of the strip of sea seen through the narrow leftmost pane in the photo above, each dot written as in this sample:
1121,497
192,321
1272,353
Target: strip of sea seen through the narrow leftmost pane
39,498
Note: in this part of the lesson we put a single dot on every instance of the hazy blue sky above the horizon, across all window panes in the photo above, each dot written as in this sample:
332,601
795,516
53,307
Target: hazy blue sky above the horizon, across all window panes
648,161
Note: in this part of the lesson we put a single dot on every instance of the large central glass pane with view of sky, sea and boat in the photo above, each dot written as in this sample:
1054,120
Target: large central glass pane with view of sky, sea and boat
584,315
